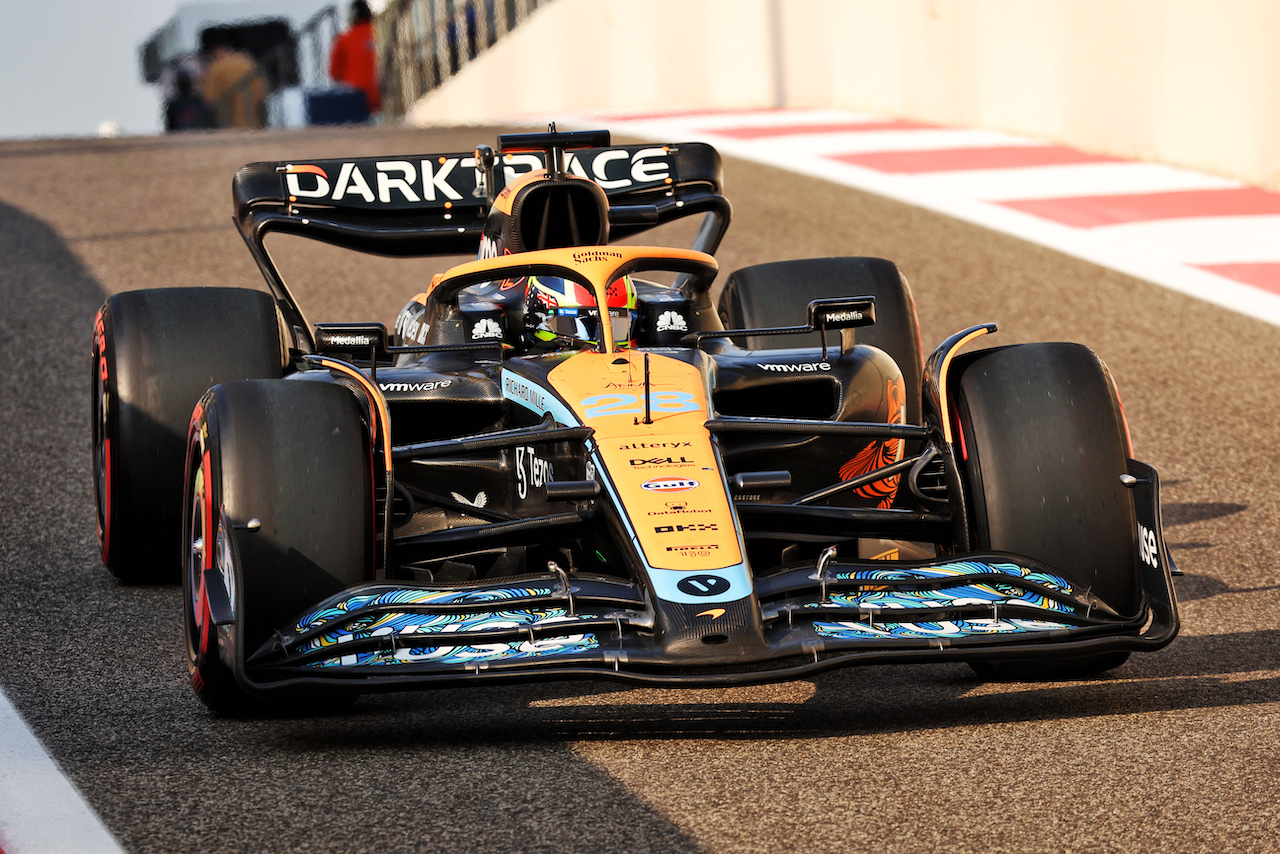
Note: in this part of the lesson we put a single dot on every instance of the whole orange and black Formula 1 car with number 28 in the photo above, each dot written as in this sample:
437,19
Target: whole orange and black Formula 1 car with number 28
569,462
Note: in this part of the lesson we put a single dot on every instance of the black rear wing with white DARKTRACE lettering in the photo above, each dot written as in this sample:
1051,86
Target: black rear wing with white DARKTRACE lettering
437,204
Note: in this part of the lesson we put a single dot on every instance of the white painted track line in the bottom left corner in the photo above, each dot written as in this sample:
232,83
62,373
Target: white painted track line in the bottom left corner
42,812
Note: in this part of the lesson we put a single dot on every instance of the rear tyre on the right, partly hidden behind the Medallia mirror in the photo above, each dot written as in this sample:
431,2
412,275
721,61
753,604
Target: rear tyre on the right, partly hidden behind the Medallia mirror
779,295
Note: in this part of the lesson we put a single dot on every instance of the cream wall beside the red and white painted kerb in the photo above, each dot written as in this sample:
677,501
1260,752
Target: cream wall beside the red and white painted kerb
1187,83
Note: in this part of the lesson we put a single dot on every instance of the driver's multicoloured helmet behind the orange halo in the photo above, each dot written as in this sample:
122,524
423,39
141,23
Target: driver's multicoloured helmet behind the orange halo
561,312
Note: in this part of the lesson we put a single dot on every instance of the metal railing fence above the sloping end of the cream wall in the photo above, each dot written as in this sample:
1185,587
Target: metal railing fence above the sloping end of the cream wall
426,43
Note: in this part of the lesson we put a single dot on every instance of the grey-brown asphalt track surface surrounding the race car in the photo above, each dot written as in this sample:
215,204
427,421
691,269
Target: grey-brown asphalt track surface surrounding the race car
1177,751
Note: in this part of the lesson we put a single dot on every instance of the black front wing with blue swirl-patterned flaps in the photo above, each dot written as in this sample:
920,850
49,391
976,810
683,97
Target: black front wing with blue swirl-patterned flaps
973,608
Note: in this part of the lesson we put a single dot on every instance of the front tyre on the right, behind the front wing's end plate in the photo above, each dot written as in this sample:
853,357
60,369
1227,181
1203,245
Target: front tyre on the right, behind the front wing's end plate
1044,445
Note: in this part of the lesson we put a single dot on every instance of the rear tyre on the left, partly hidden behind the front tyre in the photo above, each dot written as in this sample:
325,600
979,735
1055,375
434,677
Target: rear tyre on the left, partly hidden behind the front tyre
156,353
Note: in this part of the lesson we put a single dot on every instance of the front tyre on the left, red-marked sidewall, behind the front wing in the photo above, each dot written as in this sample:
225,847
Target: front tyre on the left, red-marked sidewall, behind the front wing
278,517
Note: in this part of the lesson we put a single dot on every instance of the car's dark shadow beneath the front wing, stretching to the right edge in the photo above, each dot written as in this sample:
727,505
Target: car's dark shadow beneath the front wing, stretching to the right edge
1199,673
